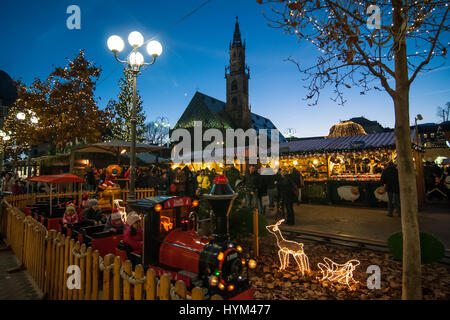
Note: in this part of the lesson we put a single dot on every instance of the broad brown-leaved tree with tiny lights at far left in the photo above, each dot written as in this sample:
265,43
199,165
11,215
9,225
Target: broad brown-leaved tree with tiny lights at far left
62,108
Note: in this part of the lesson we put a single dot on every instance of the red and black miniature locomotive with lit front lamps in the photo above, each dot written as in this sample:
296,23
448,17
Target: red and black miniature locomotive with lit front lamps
171,244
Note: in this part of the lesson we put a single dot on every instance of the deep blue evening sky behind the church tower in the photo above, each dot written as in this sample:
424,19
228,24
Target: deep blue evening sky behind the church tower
34,37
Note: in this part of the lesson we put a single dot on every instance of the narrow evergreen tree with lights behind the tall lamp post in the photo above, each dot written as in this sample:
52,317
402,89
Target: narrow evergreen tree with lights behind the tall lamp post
121,128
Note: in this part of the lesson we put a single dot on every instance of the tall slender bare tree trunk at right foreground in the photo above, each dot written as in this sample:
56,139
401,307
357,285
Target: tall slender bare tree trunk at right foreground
412,279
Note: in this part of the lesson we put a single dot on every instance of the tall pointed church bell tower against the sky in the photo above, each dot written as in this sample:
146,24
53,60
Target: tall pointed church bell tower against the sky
237,75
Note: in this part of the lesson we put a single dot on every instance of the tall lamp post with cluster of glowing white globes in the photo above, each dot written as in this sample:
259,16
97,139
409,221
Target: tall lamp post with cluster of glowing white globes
134,62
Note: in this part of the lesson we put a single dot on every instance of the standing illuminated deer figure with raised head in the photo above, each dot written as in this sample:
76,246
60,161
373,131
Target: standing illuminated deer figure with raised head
287,248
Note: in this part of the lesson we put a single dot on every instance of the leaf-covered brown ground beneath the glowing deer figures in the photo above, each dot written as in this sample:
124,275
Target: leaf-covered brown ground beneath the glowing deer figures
272,284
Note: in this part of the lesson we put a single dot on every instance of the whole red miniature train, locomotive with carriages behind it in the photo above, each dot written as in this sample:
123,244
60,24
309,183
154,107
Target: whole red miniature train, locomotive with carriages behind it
171,243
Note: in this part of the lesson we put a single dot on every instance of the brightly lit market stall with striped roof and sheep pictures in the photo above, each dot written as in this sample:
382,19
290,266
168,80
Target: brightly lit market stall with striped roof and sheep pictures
346,169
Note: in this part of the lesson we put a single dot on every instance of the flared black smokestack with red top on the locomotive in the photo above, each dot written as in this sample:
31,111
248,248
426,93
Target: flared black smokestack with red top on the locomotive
221,200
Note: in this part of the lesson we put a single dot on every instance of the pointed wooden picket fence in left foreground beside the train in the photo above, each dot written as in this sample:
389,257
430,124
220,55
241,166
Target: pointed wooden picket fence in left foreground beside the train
67,270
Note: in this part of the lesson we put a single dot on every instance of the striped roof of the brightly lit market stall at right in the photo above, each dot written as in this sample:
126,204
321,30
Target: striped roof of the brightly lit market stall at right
374,140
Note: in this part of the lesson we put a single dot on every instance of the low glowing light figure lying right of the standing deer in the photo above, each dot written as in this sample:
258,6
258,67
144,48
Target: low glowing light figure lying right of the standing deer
340,273
